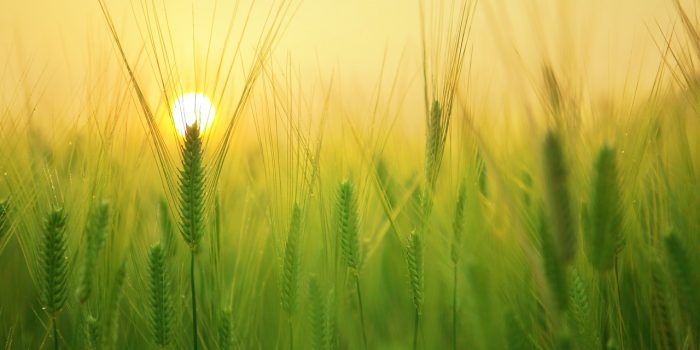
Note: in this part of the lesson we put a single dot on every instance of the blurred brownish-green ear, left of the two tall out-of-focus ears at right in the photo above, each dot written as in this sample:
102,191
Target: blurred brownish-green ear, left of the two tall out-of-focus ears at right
558,198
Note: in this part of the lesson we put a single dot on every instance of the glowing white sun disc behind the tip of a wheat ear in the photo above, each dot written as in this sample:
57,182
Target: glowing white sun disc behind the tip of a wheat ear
190,108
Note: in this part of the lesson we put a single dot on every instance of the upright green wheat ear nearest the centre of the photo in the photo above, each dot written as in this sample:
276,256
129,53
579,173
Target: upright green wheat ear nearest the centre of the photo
348,225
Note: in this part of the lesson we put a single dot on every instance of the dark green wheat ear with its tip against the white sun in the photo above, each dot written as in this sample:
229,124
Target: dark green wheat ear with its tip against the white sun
192,181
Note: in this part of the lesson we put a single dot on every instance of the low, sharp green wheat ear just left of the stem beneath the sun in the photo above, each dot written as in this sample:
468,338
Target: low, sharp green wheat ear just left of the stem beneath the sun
161,308
